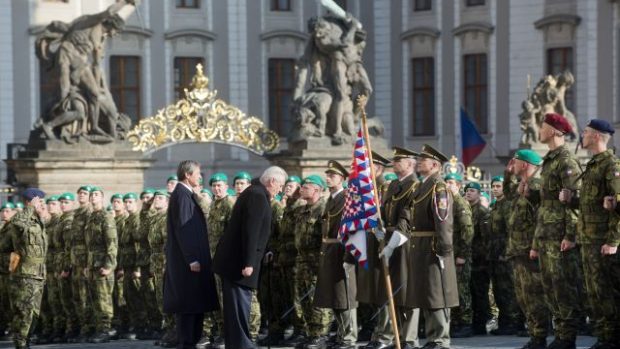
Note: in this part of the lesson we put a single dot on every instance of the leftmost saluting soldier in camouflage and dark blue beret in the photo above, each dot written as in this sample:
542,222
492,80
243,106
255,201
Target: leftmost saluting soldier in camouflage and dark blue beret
26,242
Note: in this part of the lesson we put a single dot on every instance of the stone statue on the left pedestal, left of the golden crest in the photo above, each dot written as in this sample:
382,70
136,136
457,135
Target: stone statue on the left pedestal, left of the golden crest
85,107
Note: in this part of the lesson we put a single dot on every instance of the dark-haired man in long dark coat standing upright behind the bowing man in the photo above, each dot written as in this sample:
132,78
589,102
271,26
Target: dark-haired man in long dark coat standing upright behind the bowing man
189,285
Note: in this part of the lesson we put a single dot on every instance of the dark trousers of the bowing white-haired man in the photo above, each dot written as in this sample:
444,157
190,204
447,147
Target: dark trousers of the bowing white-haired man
237,300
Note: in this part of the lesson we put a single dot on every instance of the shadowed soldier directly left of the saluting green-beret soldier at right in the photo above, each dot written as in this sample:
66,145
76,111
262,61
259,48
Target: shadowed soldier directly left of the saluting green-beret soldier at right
500,268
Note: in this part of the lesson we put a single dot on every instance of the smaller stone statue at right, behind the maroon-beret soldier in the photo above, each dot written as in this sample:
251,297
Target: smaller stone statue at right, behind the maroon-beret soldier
548,96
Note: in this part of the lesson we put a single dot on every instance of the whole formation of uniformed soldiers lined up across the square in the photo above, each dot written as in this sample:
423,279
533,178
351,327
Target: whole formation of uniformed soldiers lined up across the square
76,269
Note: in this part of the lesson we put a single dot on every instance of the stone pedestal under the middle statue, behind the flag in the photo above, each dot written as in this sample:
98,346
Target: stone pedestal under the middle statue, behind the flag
311,156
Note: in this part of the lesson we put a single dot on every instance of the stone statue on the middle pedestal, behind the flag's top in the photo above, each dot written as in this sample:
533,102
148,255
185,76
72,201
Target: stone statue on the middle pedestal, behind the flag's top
332,67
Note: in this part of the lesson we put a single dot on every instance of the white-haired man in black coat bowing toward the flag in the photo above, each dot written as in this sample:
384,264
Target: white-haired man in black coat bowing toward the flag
240,251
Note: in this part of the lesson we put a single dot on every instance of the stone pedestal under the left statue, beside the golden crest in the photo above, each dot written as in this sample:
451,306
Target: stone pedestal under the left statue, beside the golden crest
57,167
